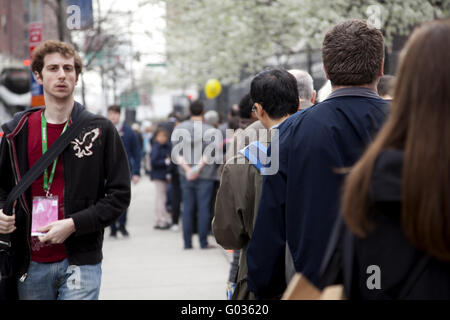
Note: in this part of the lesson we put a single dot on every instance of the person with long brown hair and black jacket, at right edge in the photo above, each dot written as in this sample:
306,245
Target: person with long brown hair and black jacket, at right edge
396,199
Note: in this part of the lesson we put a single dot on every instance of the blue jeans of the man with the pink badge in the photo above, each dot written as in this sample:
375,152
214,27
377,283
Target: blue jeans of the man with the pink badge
61,281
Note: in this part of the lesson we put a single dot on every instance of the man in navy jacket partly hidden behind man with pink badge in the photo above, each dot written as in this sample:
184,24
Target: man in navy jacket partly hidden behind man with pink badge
133,150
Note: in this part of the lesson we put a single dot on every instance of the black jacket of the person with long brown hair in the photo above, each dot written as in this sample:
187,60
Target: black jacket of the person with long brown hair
387,247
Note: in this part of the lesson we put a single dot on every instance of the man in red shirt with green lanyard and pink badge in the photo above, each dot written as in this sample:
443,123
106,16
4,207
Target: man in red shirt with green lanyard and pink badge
87,187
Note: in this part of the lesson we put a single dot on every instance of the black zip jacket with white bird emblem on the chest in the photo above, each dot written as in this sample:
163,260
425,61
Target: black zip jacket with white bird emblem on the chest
96,186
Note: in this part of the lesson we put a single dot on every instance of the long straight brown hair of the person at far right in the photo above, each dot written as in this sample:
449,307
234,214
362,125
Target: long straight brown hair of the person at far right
418,125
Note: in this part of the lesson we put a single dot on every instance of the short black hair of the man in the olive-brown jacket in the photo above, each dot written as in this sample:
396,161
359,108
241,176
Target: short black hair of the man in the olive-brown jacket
276,90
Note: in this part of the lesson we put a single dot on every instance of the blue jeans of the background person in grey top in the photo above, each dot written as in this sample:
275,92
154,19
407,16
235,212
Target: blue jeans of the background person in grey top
196,192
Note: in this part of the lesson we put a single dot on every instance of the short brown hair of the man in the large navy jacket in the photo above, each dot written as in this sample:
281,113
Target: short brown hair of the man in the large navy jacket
352,53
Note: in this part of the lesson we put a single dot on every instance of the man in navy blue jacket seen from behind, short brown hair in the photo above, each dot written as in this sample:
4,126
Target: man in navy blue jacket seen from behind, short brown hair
300,202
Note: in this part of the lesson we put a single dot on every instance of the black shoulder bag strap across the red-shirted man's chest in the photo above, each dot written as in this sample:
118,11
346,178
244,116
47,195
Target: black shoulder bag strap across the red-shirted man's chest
47,158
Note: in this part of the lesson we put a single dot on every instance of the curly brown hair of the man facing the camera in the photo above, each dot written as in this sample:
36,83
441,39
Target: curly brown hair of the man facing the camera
52,46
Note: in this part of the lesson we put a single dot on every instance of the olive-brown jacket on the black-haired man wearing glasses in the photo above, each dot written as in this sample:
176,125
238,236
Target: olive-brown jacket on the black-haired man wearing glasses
236,208
